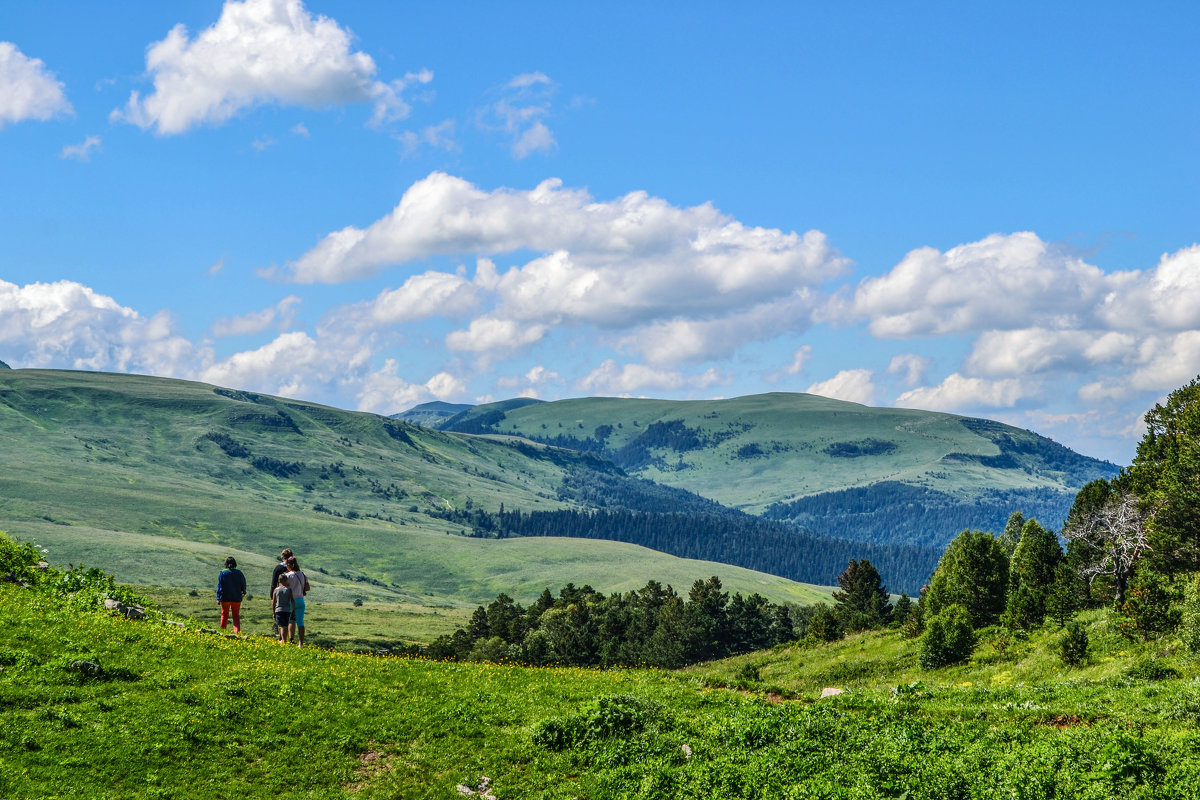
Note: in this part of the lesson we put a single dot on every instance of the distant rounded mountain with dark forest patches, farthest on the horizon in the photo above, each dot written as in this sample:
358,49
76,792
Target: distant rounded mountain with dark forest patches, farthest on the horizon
875,474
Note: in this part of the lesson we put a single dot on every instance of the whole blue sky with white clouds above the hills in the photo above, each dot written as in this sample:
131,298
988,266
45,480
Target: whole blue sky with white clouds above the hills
983,210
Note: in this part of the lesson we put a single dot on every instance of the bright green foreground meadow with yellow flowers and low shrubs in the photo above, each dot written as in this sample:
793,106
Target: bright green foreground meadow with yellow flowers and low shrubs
170,712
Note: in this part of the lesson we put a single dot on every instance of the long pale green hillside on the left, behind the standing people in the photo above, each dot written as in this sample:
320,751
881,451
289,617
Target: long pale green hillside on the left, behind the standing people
161,479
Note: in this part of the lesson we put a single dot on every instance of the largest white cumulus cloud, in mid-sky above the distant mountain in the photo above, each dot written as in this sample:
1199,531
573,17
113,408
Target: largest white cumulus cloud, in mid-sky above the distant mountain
700,282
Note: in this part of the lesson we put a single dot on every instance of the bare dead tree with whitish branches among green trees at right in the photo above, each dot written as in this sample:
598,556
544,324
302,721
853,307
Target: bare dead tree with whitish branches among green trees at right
1115,538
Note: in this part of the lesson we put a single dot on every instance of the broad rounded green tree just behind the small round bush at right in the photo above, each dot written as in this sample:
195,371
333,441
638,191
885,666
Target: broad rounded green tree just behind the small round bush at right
974,574
